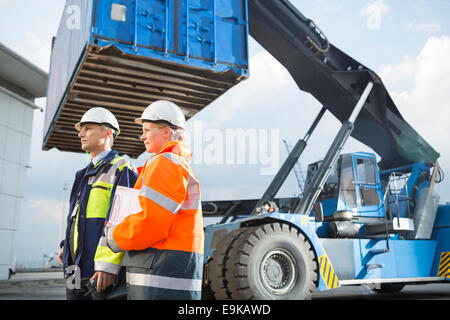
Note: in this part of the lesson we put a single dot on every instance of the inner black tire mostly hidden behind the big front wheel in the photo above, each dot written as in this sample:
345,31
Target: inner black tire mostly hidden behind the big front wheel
217,265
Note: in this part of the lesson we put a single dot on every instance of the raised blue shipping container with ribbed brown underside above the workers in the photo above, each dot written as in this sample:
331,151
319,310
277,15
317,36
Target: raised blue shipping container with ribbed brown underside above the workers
125,54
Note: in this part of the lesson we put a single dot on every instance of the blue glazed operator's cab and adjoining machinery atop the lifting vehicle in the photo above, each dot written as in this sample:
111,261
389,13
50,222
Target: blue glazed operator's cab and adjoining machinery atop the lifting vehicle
360,200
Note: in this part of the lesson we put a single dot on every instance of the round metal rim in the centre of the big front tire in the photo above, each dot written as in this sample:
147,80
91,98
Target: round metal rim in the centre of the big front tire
278,271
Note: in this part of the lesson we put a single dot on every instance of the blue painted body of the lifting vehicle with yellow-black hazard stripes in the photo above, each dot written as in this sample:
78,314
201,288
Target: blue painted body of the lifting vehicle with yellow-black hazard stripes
396,257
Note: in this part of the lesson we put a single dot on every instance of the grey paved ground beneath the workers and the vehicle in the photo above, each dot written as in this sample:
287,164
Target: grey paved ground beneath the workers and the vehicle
51,286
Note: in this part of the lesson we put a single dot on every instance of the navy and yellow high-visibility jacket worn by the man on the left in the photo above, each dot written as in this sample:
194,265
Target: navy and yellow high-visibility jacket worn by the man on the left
94,187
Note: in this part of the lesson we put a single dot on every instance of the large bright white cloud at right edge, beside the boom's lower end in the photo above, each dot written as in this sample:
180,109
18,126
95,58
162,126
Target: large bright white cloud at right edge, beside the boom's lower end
426,103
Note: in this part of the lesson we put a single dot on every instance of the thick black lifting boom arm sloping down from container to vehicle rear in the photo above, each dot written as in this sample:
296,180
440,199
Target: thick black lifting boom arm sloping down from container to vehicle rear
336,81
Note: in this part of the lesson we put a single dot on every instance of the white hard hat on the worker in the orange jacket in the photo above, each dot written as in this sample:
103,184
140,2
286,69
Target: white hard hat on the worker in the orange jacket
163,110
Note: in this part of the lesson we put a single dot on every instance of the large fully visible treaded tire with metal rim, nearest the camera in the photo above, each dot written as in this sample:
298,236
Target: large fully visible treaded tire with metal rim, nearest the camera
273,261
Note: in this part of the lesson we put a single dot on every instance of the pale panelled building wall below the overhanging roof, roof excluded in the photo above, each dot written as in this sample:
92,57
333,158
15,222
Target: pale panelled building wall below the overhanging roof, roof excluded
16,119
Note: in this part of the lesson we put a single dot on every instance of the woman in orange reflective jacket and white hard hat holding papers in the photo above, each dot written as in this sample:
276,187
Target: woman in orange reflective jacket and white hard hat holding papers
163,242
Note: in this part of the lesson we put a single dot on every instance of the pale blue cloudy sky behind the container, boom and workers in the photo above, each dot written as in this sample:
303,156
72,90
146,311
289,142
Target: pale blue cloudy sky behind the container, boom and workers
406,42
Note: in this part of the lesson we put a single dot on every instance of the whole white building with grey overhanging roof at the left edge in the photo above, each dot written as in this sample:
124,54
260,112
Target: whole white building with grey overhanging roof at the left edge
20,83
